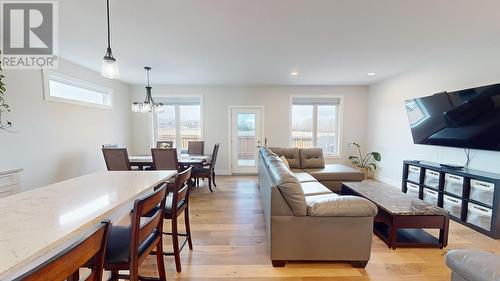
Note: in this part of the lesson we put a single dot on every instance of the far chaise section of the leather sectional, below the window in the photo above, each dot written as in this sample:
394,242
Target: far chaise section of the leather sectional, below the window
310,161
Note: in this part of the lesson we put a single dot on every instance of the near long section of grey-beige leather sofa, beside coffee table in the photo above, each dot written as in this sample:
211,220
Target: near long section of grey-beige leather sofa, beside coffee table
307,221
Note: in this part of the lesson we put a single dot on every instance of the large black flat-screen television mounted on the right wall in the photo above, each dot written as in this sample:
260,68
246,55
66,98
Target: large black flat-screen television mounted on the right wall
468,118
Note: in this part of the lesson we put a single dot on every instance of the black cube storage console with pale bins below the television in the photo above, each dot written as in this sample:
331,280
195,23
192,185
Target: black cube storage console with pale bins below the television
471,197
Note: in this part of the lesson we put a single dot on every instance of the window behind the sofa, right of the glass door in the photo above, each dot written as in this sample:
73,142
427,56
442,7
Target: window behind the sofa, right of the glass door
315,123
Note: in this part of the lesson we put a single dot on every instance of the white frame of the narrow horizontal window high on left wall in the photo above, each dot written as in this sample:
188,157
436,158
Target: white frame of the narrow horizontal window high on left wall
72,81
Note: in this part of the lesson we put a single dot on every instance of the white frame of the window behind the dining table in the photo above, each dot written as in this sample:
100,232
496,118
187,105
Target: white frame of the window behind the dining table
154,135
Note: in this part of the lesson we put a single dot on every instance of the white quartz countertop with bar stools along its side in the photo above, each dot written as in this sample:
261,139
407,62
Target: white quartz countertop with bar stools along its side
35,222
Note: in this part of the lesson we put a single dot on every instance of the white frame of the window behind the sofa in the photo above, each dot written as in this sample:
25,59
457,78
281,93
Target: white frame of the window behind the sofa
340,127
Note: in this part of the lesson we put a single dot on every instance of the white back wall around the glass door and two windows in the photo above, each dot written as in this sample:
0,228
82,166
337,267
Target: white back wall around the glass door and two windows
275,99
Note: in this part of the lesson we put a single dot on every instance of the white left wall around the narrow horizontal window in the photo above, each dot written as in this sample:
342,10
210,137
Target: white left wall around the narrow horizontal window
57,141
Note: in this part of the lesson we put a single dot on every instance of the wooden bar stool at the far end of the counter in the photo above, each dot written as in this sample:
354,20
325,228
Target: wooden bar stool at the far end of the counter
176,204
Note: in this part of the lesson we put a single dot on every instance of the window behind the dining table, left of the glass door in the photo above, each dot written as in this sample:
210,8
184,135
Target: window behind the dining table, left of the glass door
181,122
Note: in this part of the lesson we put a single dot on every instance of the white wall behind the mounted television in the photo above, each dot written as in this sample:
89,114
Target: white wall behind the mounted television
388,129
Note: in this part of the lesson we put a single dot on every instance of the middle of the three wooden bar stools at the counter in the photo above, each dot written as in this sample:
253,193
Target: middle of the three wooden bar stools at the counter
128,246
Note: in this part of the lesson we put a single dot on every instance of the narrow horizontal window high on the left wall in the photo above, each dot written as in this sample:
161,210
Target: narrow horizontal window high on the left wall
62,88
